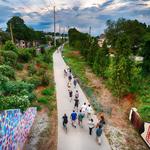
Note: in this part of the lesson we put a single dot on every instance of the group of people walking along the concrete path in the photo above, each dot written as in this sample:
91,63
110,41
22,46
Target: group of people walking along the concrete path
80,113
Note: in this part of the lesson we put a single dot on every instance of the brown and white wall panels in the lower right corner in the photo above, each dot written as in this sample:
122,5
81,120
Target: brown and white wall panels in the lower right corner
142,127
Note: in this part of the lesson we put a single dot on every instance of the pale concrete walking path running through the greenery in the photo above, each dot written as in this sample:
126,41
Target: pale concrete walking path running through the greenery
76,138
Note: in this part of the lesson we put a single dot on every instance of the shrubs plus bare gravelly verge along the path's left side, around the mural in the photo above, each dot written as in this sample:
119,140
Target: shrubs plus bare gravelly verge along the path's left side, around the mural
26,80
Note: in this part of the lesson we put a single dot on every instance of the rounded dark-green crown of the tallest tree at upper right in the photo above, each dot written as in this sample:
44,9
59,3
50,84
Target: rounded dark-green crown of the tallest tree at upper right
130,28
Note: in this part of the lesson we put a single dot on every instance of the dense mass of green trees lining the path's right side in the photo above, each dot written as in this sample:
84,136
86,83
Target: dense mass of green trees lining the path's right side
121,73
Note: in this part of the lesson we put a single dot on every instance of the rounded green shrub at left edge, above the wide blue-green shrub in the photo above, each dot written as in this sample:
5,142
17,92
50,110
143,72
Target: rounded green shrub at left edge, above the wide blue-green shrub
7,71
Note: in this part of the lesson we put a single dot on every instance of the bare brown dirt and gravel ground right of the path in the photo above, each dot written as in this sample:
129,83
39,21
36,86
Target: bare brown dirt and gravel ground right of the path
119,130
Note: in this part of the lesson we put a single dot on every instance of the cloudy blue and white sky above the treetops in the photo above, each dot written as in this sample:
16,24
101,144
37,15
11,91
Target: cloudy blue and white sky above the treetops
81,14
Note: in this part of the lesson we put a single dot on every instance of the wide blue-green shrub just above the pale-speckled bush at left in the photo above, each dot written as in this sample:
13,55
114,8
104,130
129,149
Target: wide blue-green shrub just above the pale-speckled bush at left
15,87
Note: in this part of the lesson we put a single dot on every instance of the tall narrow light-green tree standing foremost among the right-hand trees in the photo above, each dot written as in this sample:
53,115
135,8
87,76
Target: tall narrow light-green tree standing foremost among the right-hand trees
121,75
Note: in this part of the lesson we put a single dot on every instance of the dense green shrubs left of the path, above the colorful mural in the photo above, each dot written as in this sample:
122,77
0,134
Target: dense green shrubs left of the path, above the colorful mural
19,92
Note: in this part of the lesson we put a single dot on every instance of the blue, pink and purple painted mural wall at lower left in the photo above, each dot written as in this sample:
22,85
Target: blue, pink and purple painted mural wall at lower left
15,127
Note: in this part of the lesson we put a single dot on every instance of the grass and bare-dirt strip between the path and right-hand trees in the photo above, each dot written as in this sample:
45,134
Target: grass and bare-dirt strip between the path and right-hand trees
118,129
